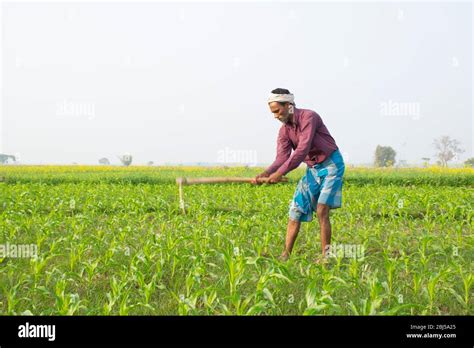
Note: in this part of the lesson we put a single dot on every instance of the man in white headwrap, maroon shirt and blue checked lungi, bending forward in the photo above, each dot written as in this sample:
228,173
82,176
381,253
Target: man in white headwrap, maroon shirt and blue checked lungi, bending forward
320,189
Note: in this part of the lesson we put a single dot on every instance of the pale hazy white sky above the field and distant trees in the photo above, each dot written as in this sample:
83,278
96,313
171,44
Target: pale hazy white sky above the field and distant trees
187,82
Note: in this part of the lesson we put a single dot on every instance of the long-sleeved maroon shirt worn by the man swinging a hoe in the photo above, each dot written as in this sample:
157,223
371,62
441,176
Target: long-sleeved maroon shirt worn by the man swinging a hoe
308,137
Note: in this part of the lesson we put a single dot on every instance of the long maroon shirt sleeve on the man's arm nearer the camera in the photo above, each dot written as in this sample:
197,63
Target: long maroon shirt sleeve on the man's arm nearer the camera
309,124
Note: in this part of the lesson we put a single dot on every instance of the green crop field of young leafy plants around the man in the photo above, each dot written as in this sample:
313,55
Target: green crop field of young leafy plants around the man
113,241
